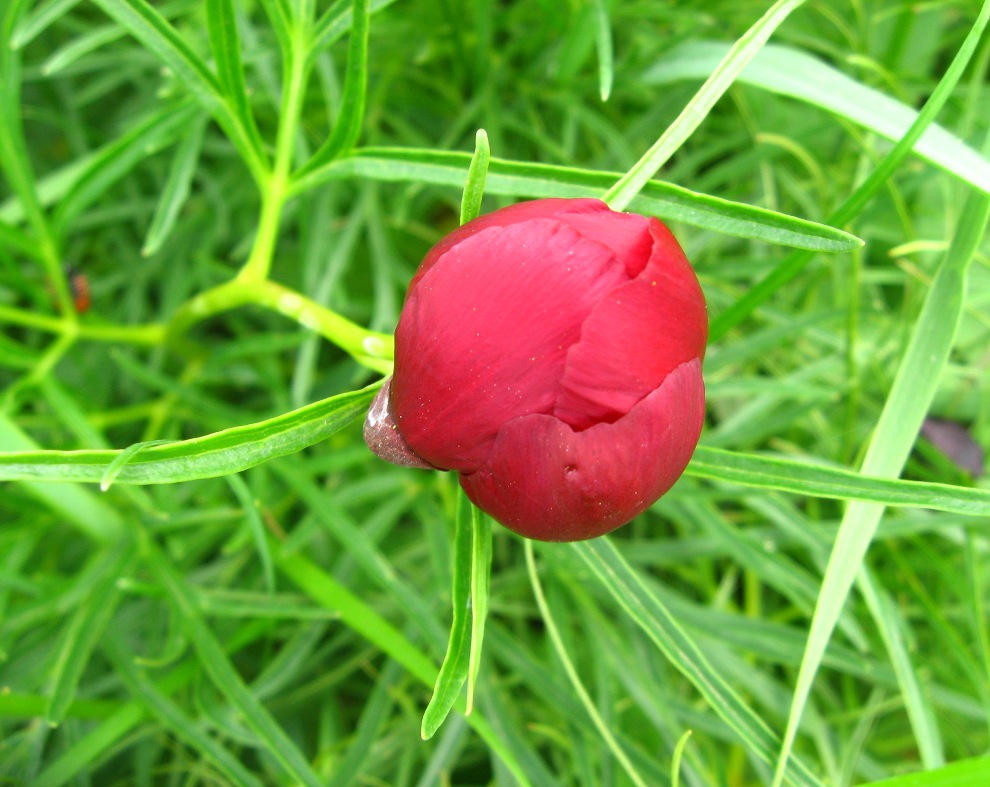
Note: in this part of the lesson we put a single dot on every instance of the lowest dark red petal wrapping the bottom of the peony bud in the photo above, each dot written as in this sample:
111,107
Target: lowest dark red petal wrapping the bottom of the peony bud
546,481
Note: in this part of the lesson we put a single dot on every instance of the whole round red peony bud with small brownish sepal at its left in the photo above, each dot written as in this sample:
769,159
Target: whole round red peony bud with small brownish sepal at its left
550,353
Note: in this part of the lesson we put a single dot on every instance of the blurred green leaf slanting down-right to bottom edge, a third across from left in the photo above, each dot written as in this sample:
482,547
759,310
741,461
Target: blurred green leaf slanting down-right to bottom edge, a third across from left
222,673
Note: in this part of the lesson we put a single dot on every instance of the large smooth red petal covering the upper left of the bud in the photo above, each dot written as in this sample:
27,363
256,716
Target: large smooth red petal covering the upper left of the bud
484,335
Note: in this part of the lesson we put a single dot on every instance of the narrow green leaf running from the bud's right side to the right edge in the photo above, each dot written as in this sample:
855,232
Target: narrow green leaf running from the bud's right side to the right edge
802,478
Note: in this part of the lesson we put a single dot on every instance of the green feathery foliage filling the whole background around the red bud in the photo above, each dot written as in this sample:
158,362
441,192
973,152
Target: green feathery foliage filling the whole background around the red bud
209,213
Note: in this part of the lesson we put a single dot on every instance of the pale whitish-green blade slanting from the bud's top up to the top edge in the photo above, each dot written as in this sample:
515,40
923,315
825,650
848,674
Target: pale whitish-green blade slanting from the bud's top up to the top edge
742,52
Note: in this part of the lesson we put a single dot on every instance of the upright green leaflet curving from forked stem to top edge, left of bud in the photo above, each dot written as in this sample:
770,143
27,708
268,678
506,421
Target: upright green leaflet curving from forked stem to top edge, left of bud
347,126
